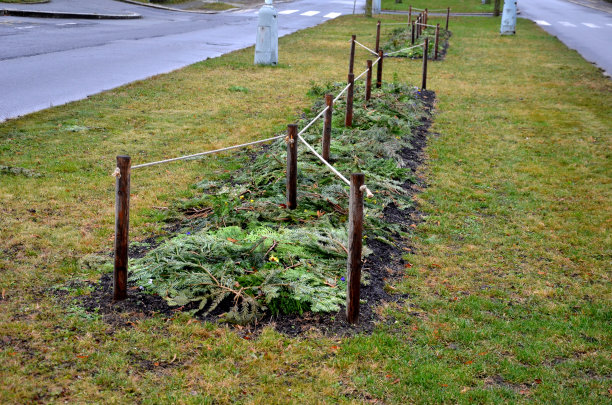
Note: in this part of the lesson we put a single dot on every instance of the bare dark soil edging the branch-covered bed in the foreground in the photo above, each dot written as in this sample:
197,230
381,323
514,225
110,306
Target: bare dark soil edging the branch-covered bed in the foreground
382,268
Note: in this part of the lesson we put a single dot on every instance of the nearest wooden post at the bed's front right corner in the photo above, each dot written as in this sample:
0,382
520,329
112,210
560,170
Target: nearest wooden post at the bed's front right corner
355,245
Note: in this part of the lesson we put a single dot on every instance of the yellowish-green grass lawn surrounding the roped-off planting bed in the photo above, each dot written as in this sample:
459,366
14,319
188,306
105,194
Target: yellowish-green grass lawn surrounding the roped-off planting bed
510,289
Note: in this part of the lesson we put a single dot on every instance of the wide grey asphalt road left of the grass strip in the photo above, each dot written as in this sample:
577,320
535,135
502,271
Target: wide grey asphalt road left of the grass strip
49,62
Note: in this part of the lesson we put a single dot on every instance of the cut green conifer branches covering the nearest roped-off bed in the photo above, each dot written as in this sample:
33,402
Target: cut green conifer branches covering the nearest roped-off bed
248,254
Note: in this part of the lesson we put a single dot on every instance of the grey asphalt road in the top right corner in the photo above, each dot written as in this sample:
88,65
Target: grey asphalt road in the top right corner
584,29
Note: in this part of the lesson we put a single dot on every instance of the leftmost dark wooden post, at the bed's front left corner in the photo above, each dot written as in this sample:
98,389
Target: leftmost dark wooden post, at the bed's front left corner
122,225
